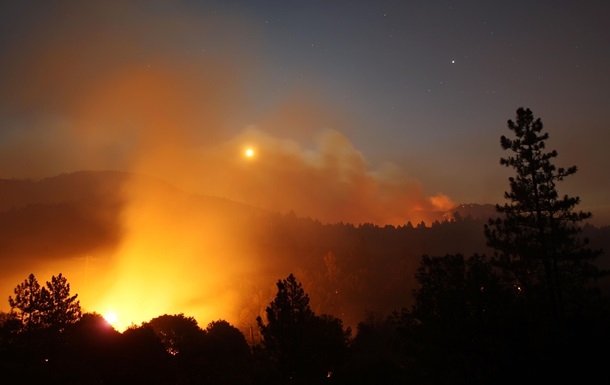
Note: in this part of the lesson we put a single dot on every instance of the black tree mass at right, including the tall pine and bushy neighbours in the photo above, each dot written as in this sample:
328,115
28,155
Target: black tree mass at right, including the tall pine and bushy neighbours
534,311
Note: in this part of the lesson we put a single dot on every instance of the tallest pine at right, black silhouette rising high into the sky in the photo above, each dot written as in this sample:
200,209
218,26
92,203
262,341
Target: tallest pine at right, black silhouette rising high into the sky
558,311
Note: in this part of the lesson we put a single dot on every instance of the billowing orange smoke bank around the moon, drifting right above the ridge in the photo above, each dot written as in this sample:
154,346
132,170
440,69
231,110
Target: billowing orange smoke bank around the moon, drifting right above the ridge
330,182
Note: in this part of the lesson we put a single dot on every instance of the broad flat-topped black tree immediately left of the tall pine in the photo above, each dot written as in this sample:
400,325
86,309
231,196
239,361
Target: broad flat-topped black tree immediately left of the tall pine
456,332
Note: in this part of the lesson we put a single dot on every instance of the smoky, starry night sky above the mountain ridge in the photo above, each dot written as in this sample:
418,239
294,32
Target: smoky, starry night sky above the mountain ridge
366,101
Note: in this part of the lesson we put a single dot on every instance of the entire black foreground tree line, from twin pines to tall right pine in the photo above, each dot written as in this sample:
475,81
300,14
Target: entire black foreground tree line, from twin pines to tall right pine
533,309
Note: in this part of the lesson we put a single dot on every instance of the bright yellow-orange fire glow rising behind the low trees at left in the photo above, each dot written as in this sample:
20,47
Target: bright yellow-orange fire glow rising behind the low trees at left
172,261
